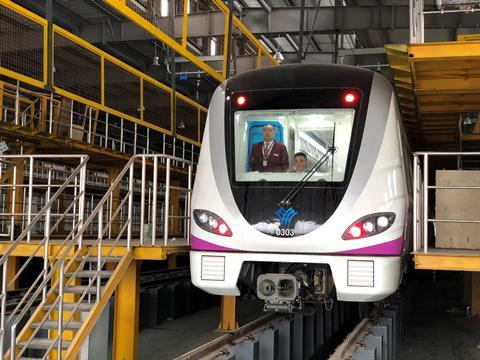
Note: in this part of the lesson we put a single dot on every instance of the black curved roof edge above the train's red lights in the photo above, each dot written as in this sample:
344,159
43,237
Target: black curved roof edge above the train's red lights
301,76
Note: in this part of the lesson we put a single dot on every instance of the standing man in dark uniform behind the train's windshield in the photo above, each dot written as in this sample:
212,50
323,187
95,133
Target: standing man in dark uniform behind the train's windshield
269,155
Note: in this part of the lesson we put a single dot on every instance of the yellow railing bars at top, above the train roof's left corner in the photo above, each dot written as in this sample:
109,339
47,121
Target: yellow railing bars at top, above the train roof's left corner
157,30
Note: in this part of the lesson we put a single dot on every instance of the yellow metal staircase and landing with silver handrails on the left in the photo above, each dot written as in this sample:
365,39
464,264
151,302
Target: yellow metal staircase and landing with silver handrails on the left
80,273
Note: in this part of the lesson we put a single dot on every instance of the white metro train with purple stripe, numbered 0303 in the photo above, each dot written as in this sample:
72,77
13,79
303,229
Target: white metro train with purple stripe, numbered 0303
335,226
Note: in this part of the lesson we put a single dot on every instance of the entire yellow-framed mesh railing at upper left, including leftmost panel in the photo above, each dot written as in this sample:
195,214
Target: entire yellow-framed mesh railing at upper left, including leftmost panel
86,74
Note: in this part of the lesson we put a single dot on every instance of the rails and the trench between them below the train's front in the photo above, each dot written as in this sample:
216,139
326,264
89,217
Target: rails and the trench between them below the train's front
335,334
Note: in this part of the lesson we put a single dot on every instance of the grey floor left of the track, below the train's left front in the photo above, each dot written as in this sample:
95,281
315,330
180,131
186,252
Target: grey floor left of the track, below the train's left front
176,337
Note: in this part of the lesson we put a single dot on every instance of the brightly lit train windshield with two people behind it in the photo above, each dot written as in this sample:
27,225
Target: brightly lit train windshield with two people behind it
282,145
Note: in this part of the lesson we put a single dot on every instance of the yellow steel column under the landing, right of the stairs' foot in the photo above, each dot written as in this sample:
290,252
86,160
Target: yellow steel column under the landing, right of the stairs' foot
127,298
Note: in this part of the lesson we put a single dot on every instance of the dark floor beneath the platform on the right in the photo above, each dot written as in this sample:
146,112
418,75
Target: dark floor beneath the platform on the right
439,326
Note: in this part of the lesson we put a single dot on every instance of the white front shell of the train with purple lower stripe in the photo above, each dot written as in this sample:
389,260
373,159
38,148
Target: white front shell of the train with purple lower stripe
378,184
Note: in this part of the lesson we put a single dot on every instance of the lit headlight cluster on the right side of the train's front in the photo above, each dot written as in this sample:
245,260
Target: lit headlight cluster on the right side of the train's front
369,225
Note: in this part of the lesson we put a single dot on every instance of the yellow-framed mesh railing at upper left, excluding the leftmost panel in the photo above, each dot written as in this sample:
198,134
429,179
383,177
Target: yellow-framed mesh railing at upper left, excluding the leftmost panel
120,89
